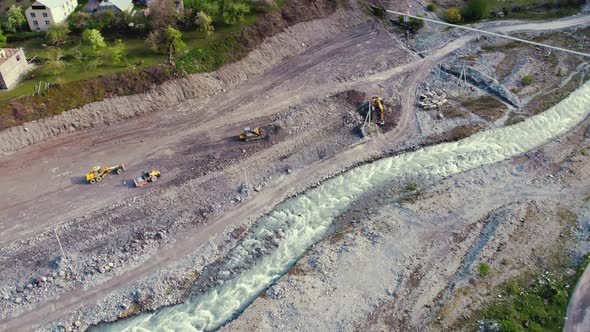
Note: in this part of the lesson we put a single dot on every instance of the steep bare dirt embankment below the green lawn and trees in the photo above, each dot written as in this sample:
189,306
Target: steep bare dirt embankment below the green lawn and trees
269,51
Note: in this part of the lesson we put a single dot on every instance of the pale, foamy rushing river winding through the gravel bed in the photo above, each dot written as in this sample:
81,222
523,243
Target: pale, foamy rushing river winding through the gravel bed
306,218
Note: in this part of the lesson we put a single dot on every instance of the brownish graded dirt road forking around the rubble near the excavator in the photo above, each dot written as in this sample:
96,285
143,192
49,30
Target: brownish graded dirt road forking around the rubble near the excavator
44,184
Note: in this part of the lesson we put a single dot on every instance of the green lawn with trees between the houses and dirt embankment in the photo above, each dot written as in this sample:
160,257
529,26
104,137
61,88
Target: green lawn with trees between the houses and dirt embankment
138,55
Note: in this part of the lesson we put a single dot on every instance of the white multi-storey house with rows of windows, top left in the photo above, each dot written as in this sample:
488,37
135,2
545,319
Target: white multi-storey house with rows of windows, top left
44,12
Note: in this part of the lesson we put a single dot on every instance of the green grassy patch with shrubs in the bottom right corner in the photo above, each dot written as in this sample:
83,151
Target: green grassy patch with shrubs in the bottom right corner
537,303
